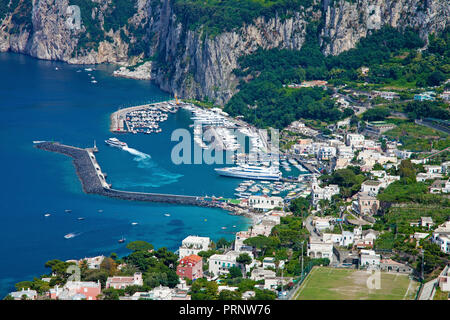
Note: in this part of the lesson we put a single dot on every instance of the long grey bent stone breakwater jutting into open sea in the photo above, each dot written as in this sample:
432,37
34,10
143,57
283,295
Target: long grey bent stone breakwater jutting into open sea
93,180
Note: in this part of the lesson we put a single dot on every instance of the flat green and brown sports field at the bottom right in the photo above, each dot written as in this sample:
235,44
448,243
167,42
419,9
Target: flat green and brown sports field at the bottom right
324,283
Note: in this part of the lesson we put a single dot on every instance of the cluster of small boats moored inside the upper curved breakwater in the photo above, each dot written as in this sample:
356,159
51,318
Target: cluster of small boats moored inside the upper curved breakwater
147,120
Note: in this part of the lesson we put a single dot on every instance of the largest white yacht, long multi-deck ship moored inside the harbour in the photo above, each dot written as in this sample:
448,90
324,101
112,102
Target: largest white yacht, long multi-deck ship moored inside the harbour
251,172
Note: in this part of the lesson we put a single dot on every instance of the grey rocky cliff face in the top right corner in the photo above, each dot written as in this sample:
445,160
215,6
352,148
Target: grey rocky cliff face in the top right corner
345,22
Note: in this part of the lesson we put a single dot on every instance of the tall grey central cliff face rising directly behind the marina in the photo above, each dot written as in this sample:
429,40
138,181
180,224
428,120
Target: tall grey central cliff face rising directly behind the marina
197,66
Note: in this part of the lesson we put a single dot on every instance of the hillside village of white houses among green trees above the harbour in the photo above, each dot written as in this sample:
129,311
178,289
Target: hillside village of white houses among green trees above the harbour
369,204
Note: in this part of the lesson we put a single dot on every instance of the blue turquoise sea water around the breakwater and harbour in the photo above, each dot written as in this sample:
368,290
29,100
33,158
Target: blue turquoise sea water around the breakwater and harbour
38,102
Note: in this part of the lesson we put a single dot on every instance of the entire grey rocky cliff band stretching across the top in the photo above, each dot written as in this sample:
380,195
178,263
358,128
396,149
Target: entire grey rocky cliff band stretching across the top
190,61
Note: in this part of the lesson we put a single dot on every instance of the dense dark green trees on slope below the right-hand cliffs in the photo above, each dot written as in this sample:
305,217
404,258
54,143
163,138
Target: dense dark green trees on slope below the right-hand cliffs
264,100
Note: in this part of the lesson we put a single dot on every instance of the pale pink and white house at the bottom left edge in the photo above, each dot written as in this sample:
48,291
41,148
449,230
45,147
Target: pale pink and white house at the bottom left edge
77,290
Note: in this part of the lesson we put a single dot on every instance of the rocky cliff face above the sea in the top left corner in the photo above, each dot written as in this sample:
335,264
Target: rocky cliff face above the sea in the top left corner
55,30
